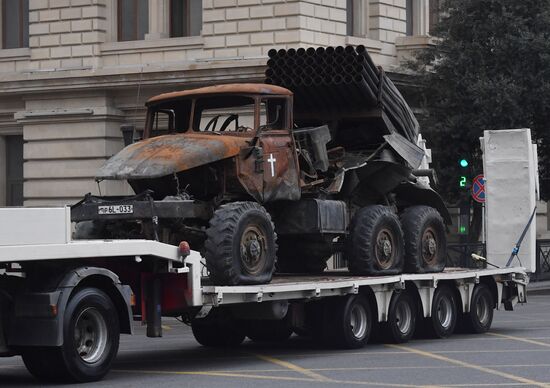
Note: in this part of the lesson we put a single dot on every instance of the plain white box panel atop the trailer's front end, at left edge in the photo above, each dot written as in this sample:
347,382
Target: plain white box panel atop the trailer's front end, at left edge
30,226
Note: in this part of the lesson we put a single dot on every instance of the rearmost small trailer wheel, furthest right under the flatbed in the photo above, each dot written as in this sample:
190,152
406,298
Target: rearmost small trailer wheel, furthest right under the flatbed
480,317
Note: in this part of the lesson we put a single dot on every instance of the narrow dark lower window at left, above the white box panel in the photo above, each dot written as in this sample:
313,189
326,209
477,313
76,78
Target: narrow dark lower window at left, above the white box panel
14,170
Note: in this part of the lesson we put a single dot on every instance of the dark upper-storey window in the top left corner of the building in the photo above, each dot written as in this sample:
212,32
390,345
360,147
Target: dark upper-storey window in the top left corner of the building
15,23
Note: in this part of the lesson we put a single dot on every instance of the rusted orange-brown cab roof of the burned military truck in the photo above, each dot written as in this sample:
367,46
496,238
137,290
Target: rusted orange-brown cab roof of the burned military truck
263,89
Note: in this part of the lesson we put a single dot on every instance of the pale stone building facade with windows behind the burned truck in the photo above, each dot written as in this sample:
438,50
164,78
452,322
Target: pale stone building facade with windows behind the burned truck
73,71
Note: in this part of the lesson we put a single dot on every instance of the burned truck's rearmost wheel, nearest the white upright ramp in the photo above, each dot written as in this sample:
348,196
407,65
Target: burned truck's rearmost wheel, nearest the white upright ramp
425,239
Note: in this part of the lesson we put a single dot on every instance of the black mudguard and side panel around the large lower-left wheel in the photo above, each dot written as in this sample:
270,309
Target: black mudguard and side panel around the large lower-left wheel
39,316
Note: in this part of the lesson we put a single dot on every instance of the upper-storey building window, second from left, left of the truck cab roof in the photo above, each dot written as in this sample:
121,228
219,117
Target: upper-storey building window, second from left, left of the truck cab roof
133,19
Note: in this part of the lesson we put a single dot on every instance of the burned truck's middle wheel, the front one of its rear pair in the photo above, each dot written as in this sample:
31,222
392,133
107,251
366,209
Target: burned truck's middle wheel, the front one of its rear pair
375,245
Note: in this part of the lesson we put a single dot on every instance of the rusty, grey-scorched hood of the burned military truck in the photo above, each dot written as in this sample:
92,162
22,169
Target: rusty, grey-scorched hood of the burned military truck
165,155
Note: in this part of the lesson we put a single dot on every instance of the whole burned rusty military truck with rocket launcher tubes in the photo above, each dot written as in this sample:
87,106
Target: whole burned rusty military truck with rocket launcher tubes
279,176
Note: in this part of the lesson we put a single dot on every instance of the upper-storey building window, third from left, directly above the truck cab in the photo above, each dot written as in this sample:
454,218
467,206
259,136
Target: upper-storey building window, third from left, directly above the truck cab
185,18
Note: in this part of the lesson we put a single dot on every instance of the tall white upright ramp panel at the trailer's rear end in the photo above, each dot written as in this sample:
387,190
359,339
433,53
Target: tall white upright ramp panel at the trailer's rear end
510,185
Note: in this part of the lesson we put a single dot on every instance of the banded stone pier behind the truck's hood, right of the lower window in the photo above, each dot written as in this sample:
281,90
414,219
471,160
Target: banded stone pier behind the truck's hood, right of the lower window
67,138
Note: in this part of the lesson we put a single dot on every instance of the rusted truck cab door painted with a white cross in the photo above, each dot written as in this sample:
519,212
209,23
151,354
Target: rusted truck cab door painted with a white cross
280,172
